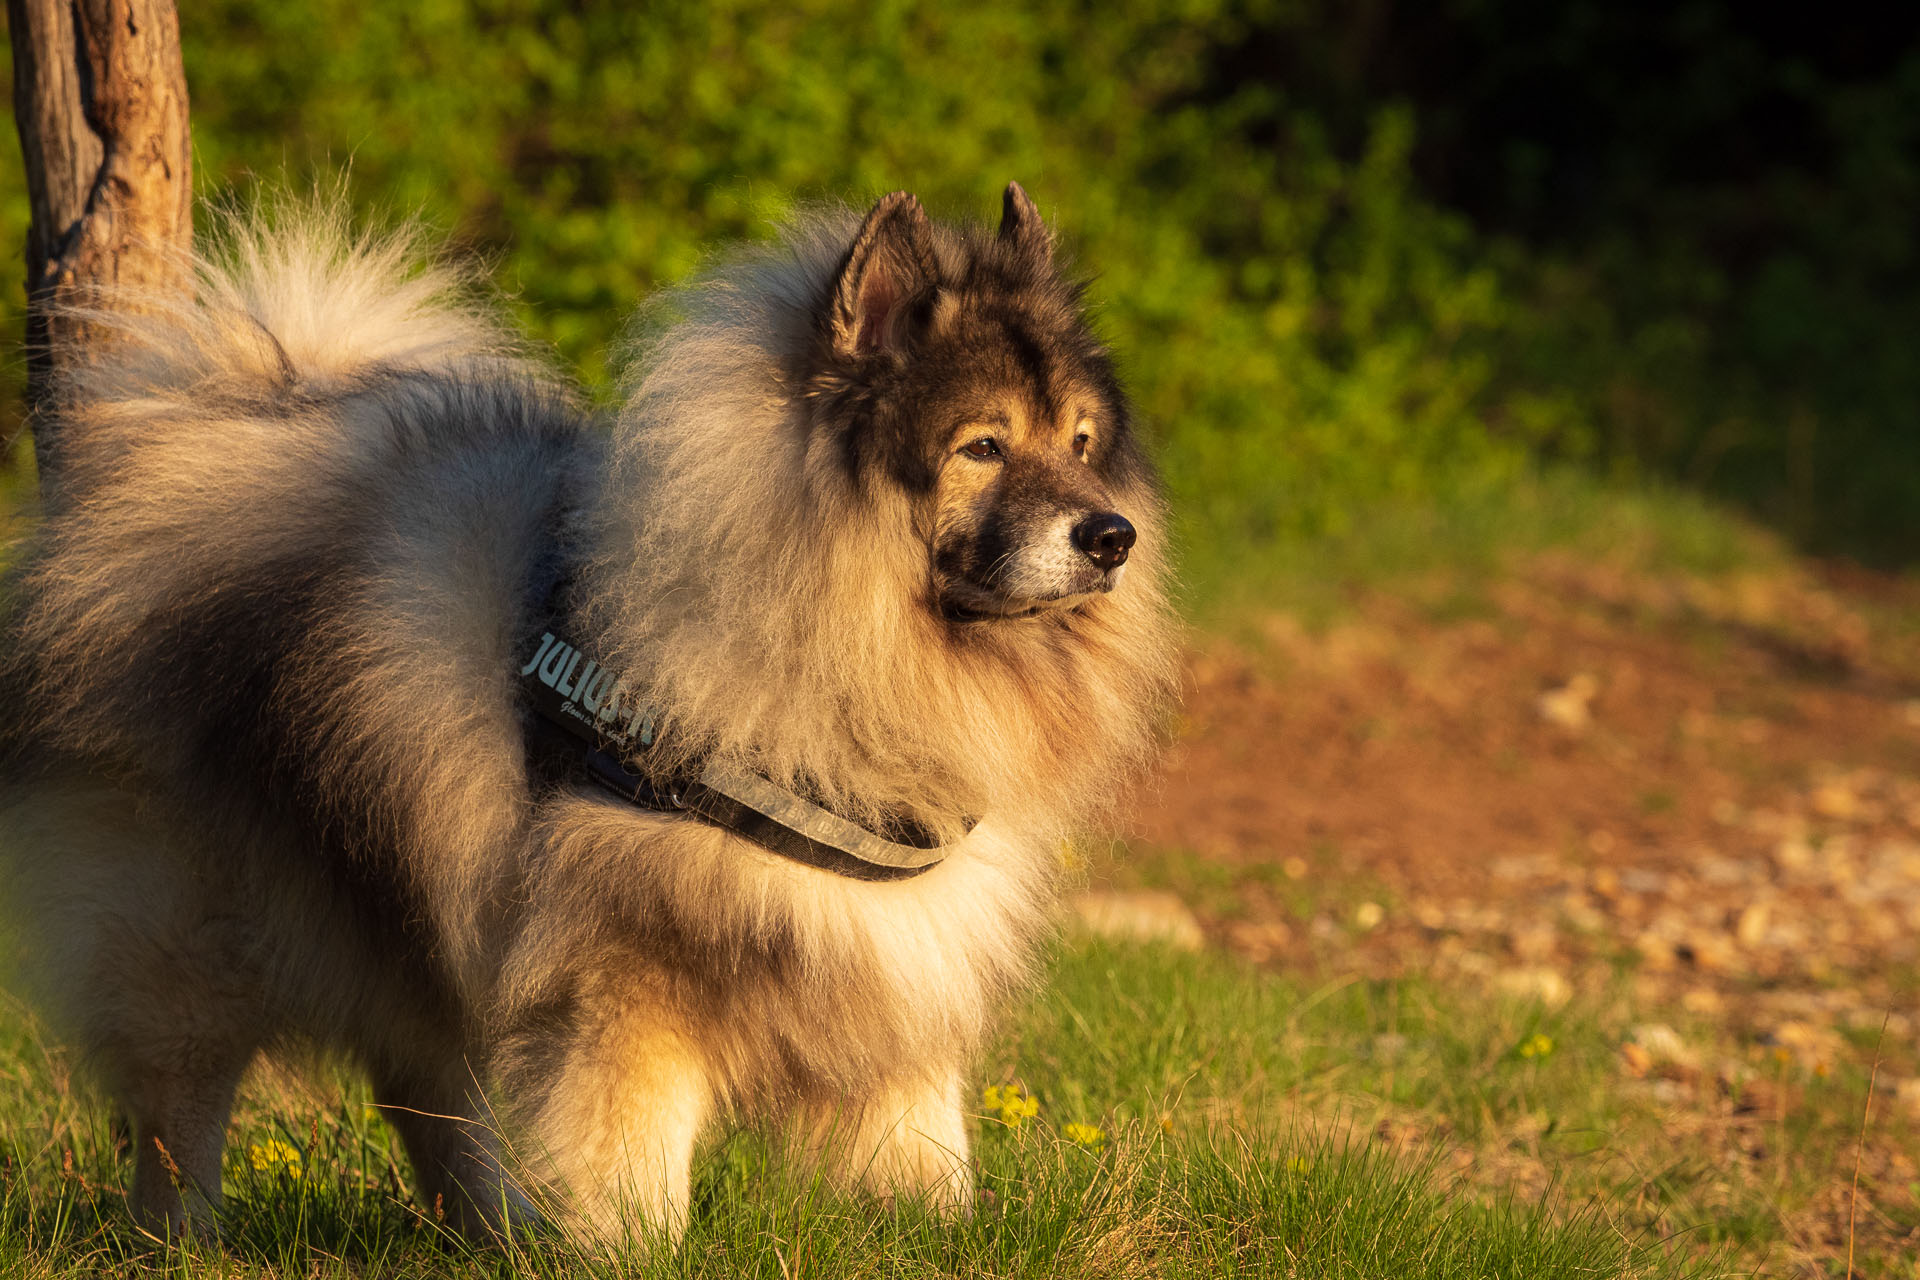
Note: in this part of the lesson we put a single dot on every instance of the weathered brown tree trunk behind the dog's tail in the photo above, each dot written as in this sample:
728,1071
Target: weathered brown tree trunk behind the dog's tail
101,107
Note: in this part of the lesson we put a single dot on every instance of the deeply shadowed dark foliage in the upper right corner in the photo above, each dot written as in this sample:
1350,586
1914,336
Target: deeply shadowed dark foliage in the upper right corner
1710,208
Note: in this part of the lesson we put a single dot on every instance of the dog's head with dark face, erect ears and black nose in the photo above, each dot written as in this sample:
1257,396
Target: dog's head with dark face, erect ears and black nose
961,369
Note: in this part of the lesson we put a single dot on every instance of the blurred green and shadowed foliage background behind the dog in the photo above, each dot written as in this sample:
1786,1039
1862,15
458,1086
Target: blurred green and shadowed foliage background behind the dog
1322,310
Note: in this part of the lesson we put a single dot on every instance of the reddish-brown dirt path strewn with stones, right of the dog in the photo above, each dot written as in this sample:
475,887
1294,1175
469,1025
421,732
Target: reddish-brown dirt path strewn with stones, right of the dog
1714,788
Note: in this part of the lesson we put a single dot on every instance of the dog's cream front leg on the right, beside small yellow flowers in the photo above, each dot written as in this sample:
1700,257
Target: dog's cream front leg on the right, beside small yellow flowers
907,1139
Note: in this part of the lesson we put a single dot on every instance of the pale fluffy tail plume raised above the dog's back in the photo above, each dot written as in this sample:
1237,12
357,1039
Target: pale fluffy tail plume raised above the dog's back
283,295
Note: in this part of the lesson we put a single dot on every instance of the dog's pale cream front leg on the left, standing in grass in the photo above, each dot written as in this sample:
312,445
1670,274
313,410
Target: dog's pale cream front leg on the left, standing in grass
619,1127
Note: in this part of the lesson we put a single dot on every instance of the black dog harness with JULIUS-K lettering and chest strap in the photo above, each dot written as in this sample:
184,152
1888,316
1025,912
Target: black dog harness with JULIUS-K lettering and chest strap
587,723
